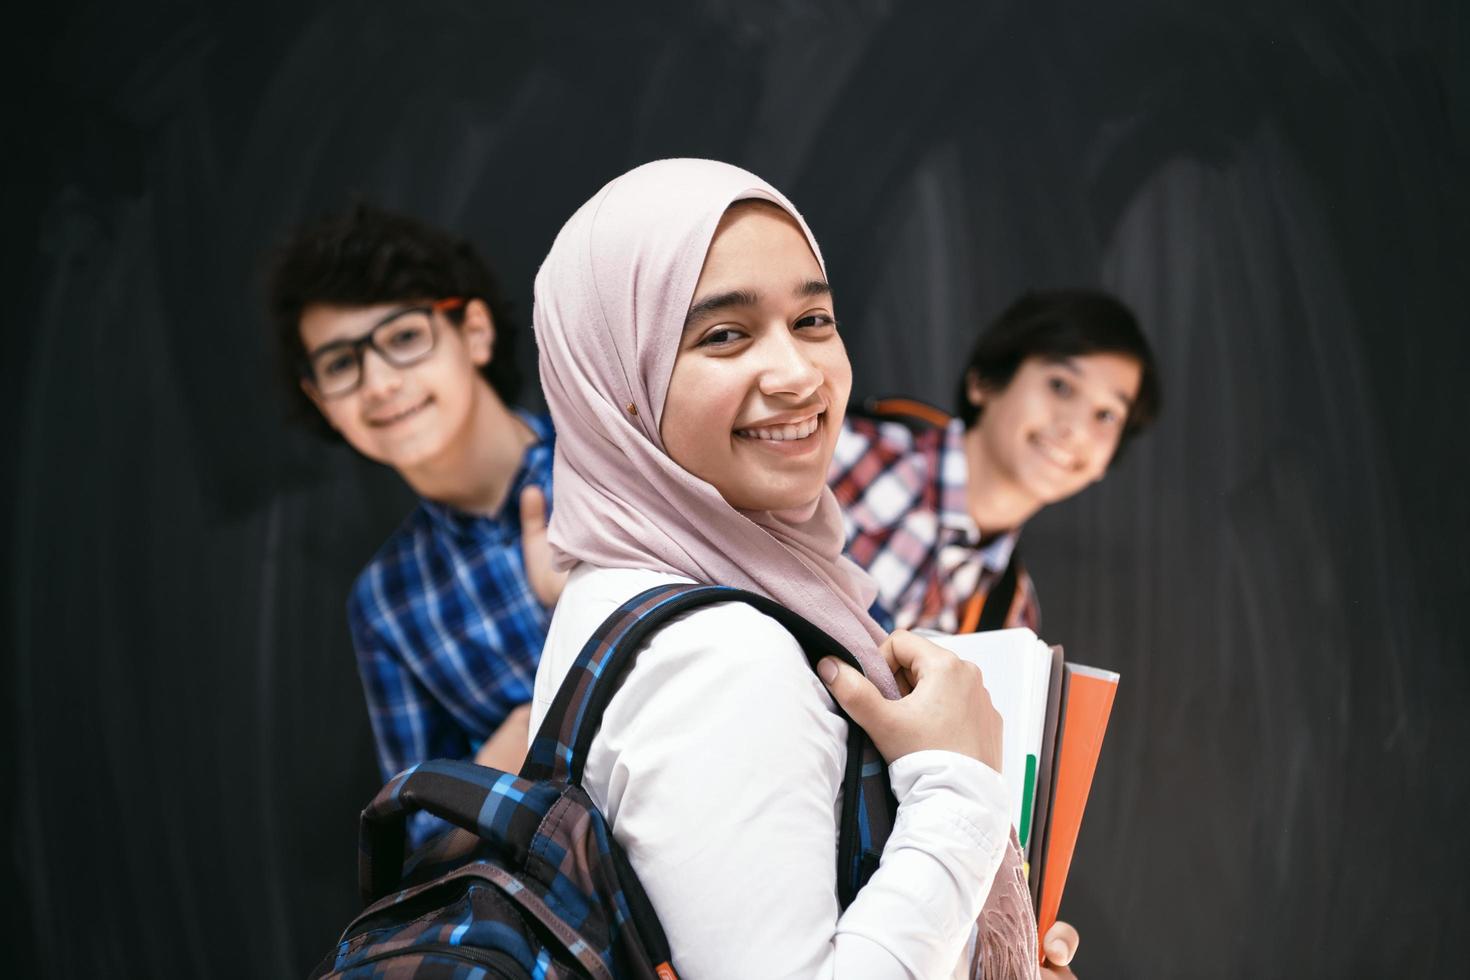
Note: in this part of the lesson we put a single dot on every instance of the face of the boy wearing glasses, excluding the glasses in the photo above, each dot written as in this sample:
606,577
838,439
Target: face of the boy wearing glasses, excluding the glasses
404,417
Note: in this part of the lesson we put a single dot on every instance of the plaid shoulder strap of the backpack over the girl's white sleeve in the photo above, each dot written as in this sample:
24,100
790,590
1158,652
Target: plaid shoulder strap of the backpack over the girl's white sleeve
559,749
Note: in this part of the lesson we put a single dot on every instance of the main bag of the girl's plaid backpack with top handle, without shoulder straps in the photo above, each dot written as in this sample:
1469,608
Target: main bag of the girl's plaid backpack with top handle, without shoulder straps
530,885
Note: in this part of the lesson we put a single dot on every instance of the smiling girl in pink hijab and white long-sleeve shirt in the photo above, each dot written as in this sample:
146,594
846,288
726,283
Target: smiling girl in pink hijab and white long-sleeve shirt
695,371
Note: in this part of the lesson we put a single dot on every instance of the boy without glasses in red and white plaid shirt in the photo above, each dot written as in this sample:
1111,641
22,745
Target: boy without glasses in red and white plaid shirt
1053,392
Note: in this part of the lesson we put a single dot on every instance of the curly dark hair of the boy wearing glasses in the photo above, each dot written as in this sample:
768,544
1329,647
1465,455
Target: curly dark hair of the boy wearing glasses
365,256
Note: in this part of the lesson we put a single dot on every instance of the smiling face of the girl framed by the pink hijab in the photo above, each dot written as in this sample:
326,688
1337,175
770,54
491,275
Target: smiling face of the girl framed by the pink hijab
761,383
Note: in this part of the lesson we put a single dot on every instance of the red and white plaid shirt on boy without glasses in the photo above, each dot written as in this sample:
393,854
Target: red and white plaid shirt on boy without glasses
909,525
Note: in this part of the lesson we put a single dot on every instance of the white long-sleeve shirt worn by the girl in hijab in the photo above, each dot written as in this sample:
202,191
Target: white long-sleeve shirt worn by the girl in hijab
720,769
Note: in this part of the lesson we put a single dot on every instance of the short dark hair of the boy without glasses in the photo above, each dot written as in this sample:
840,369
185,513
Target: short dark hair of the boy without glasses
1056,324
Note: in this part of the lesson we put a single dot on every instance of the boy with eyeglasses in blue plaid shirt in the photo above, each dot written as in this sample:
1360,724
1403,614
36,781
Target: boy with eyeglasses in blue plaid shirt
396,340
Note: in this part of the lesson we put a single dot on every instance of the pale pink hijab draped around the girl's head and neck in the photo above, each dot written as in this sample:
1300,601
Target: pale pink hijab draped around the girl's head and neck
611,303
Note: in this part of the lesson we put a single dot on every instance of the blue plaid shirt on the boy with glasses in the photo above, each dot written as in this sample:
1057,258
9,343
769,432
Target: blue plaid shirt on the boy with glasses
448,630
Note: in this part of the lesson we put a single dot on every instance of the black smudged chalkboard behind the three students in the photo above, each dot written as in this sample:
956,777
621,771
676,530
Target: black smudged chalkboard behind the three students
1278,571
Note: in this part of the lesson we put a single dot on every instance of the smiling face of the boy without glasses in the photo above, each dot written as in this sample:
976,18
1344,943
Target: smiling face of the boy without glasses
1055,428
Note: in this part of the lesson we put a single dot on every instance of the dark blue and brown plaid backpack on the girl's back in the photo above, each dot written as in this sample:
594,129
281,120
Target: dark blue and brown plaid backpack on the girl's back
531,884
